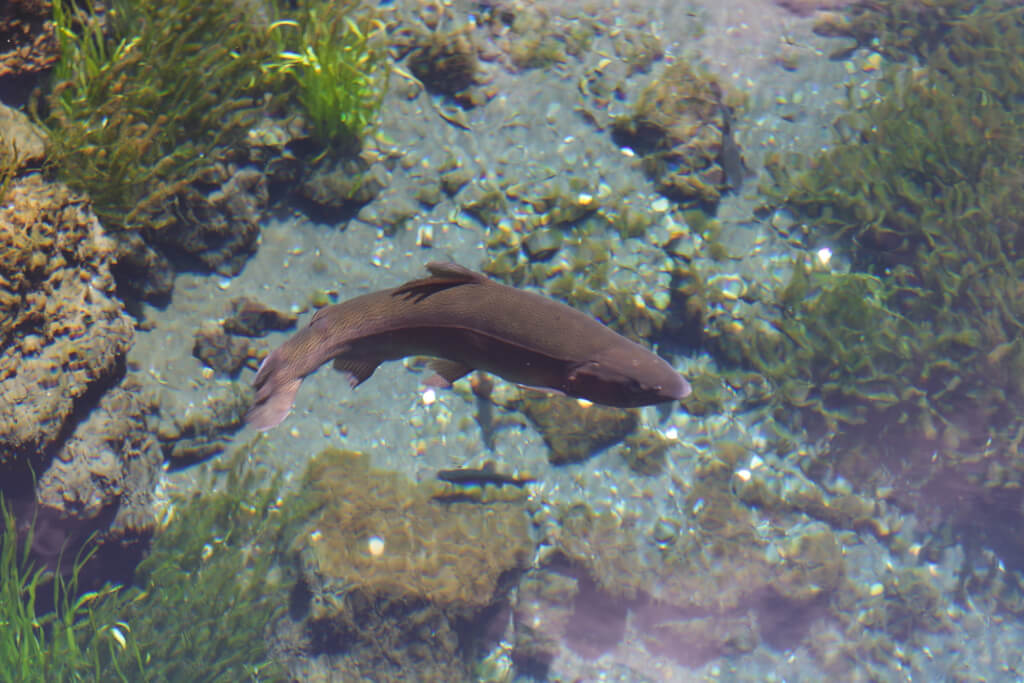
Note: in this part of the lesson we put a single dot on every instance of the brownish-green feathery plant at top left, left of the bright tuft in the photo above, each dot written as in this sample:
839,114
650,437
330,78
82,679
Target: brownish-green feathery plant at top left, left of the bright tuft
145,97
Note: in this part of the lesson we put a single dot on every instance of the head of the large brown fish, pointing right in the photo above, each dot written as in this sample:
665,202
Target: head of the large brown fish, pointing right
627,376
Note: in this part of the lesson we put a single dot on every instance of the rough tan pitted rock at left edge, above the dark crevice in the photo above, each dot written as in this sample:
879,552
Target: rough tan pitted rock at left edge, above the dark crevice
64,334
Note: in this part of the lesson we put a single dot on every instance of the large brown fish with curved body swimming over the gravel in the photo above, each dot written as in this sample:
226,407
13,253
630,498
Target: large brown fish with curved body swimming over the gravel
466,322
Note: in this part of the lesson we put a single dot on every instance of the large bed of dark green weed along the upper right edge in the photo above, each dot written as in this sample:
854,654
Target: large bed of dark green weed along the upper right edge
923,188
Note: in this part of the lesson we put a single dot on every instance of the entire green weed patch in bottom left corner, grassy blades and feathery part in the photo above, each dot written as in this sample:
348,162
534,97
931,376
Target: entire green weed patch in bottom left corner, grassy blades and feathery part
204,603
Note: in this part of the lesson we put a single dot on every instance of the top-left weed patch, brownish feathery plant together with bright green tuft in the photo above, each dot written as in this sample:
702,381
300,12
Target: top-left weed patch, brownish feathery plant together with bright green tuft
149,97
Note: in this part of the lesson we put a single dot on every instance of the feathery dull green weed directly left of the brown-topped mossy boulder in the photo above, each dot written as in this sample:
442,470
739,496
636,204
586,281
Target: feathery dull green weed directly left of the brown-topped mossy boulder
212,587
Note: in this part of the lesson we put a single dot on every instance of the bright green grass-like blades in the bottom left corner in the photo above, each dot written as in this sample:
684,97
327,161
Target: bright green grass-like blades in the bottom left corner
80,637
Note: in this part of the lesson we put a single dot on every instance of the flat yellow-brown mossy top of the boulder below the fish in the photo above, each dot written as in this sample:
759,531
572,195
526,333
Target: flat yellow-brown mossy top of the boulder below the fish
449,554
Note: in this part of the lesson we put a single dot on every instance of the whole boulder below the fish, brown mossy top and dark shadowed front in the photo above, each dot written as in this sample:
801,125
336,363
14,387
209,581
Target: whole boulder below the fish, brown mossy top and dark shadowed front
396,578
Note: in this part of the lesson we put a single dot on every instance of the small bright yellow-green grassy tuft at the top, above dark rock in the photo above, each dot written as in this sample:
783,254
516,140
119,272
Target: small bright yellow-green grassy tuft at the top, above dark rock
338,63
